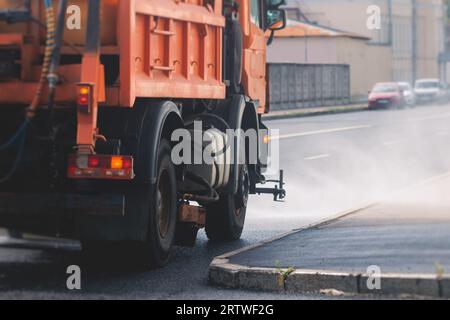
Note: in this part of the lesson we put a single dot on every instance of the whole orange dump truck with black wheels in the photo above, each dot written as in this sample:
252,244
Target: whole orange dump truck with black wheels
92,94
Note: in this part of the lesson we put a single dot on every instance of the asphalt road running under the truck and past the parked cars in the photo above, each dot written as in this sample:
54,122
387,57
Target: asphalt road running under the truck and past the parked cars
333,163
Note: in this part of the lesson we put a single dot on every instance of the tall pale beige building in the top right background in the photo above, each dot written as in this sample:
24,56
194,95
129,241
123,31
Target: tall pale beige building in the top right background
414,30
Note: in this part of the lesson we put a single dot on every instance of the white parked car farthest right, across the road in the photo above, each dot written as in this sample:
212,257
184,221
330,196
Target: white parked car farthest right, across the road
431,90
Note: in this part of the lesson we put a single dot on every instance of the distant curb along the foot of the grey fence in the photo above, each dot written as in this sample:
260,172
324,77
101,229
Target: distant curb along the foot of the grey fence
309,112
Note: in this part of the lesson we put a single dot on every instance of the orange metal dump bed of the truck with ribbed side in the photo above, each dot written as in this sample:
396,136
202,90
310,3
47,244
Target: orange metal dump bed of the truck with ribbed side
167,48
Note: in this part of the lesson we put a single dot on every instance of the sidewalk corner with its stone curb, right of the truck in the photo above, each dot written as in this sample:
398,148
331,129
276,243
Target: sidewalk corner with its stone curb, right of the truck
406,236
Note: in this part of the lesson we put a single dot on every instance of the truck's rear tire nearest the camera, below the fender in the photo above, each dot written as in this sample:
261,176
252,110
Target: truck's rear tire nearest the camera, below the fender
157,202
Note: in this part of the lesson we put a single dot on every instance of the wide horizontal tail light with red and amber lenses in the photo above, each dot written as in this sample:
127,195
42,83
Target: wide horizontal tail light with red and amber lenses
100,167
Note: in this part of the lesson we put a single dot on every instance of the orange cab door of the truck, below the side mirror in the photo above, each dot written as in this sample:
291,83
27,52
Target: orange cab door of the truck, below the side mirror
255,43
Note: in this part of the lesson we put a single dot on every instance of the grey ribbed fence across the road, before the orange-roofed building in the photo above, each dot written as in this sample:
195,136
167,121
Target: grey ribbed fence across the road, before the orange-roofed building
295,86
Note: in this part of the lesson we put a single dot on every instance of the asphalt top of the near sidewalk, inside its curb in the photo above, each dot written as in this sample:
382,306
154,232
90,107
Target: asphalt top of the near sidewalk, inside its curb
408,233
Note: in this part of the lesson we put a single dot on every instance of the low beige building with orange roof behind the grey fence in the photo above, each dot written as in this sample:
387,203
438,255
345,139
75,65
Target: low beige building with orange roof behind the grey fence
304,43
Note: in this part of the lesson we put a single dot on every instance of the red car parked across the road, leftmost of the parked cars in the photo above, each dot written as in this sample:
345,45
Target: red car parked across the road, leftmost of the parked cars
386,95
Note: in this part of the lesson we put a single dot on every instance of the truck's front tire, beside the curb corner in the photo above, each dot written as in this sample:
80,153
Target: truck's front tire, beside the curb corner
225,219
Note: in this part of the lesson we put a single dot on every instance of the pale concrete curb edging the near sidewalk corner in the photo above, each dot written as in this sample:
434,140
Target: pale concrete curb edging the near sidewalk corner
225,274
